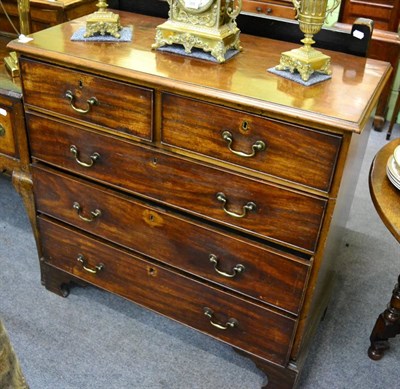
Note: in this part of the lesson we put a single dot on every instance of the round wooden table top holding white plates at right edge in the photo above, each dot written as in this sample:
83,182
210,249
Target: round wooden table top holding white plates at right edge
385,196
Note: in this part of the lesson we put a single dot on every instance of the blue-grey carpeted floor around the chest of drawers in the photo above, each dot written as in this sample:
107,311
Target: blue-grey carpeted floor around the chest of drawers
93,339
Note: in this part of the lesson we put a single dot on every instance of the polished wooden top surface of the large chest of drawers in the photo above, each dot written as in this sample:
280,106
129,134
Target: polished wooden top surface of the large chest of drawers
344,102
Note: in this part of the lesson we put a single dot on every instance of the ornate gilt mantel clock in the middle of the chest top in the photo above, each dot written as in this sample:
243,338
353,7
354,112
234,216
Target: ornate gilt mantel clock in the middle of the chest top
209,25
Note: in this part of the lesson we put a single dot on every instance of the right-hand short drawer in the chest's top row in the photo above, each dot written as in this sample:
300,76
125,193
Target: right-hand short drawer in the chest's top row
292,153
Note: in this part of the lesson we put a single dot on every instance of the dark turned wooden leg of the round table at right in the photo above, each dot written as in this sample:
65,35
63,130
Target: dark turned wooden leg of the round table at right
387,326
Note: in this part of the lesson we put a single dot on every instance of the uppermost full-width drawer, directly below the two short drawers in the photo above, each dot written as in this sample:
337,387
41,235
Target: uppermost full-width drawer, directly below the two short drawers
267,211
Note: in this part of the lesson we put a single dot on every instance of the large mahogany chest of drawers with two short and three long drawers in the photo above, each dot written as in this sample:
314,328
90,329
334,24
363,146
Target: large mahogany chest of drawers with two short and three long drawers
212,194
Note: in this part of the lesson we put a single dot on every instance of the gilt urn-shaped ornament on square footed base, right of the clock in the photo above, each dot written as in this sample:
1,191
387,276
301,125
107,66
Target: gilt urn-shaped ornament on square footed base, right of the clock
306,60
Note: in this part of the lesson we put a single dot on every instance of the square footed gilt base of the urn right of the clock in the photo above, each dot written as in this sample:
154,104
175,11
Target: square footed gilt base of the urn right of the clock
306,61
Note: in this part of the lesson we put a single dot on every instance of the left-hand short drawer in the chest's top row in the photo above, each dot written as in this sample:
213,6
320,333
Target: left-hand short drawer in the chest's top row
128,111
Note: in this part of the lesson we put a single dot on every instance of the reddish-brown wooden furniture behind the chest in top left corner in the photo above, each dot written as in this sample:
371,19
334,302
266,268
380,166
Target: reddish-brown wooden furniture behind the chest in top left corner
46,13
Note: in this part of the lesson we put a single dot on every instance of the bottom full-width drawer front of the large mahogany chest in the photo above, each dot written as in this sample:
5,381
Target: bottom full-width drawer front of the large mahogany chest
257,330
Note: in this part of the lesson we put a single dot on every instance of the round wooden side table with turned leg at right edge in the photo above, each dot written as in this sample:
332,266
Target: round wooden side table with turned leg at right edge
386,198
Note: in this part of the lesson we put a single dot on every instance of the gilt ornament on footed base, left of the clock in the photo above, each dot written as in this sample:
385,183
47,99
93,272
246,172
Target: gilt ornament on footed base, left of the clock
103,22
